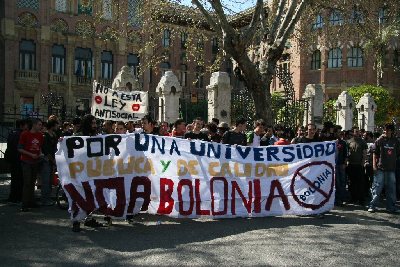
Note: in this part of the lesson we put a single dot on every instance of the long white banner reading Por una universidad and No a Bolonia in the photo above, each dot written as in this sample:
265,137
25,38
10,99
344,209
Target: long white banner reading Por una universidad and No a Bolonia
123,174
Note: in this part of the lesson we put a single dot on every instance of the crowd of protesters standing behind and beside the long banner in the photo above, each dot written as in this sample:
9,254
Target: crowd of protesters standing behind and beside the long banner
367,165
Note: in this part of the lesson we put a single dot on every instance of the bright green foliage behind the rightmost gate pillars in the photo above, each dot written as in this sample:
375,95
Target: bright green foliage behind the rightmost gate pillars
386,105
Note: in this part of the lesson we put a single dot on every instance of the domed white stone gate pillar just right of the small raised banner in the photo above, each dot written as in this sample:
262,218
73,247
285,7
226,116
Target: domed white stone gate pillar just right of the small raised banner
169,91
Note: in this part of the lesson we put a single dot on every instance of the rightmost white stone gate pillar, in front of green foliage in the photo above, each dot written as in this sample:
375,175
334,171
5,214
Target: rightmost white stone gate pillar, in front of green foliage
366,108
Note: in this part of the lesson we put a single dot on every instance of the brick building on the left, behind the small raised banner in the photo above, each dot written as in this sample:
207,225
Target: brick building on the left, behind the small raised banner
51,53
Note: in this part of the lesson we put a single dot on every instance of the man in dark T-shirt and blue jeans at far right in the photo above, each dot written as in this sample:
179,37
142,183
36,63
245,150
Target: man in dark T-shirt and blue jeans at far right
385,153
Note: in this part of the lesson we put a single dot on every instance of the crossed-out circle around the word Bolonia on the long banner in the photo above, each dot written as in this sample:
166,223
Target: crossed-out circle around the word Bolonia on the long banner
326,192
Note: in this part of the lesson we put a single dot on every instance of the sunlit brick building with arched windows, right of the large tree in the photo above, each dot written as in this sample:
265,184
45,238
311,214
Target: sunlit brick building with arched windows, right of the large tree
339,64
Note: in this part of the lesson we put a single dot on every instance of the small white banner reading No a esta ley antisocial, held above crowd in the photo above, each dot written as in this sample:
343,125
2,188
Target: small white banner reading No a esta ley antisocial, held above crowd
108,104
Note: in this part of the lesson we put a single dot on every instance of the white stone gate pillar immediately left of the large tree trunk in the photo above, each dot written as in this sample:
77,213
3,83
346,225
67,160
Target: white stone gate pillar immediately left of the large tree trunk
219,97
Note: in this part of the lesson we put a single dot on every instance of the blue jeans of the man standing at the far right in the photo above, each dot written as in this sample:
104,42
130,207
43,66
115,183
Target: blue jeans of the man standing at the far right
387,179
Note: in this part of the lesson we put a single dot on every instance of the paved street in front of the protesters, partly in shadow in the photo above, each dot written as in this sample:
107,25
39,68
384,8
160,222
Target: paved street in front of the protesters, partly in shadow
346,236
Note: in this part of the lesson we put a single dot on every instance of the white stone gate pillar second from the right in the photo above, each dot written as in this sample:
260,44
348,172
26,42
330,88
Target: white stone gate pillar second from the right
344,111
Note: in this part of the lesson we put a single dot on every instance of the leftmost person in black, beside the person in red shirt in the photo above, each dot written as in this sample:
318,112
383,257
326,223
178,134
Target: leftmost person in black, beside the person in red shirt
12,156
